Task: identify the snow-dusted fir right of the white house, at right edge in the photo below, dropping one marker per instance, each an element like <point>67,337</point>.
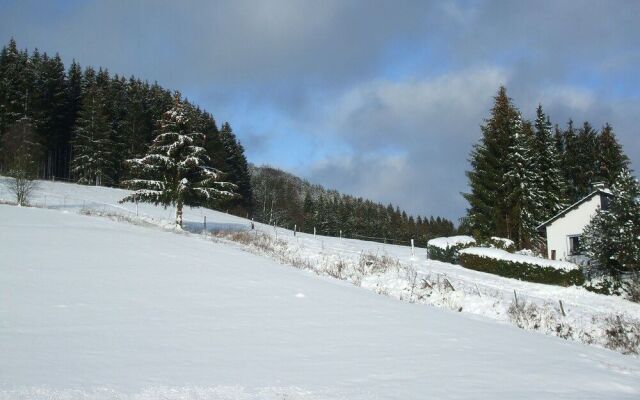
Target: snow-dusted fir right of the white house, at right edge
<point>613,236</point>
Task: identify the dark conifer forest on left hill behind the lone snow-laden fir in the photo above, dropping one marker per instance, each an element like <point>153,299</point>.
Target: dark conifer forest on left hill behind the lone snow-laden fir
<point>88,122</point>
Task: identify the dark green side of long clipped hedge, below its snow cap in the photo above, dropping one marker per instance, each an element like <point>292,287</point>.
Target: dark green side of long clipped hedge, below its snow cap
<point>522,271</point>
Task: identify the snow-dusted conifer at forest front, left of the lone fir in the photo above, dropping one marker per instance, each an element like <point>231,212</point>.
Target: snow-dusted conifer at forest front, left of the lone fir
<point>92,161</point>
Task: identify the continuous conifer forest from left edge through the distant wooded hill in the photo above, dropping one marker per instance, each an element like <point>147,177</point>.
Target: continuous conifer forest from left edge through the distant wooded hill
<point>88,123</point>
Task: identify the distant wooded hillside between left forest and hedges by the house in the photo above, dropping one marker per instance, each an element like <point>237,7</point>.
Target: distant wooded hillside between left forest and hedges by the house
<point>286,200</point>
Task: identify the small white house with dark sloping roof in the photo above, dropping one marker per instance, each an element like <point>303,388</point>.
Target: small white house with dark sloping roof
<point>563,231</point>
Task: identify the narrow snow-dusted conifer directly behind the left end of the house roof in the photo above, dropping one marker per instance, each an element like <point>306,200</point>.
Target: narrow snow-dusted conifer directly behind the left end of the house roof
<point>547,165</point>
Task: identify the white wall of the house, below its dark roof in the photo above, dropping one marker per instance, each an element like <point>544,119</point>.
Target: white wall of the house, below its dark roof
<point>571,224</point>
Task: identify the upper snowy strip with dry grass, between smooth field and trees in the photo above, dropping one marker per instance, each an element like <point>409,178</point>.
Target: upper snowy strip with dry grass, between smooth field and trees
<point>586,314</point>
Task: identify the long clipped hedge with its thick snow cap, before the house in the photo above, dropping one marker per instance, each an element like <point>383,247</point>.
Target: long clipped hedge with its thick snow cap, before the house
<point>521,267</point>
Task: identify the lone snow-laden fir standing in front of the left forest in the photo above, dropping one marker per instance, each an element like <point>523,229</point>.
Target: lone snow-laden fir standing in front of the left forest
<point>175,171</point>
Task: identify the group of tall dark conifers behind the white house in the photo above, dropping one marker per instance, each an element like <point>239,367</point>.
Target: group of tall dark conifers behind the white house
<point>524,172</point>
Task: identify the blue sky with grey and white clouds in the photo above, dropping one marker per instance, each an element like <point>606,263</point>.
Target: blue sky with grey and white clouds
<point>379,99</point>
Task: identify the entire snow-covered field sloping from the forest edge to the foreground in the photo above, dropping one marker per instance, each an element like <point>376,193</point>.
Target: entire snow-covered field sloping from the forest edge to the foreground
<point>93,308</point>
